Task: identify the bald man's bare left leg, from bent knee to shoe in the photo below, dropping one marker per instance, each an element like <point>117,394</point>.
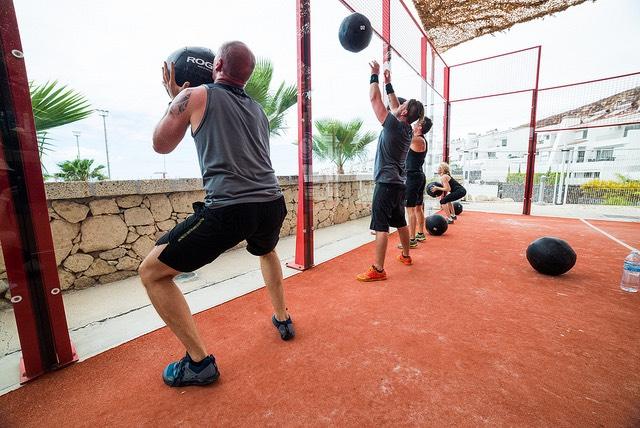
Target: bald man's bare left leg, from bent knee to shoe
<point>169,302</point>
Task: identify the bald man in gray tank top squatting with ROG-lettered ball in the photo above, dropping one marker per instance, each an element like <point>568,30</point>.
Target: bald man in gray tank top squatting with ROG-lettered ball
<point>243,202</point>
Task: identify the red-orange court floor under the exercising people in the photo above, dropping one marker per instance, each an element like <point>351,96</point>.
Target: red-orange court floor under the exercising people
<point>469,335</point>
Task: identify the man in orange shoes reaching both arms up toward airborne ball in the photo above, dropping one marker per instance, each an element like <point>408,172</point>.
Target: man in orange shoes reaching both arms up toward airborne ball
<point>387,208</point>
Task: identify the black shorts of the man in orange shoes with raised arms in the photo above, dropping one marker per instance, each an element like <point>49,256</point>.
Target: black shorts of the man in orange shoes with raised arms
<point>387,207</point>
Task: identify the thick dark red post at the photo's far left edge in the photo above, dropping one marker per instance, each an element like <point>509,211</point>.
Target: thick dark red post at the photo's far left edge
<point>25,234</point>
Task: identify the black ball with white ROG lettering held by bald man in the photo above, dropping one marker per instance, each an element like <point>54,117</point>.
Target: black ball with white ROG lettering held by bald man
<point>193,65</point>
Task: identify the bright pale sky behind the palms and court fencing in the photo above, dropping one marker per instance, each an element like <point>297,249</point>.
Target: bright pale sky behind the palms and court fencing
<point>112,52</point>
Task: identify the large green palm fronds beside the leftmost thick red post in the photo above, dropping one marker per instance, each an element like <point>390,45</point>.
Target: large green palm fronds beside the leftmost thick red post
<point>55,105</point>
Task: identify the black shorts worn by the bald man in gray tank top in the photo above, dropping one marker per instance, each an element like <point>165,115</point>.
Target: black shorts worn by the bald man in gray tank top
<point>209,232</point>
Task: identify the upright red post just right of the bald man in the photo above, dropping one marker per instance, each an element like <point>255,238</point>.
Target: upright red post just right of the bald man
<point>304,227</point>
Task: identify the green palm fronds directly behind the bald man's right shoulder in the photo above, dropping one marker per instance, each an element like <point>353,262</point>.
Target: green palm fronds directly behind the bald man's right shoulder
<point>275,104</point>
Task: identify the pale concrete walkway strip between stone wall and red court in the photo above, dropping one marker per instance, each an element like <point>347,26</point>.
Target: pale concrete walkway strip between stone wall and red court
<point>106,316</point>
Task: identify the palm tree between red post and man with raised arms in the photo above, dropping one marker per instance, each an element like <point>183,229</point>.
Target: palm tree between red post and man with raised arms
<point>340,142</point>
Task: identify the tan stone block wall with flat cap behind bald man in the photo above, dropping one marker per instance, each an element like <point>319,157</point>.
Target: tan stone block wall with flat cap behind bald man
<point>102,231</point>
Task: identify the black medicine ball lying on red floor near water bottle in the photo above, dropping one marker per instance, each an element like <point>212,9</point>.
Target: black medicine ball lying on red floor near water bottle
<point>551,256</point>
